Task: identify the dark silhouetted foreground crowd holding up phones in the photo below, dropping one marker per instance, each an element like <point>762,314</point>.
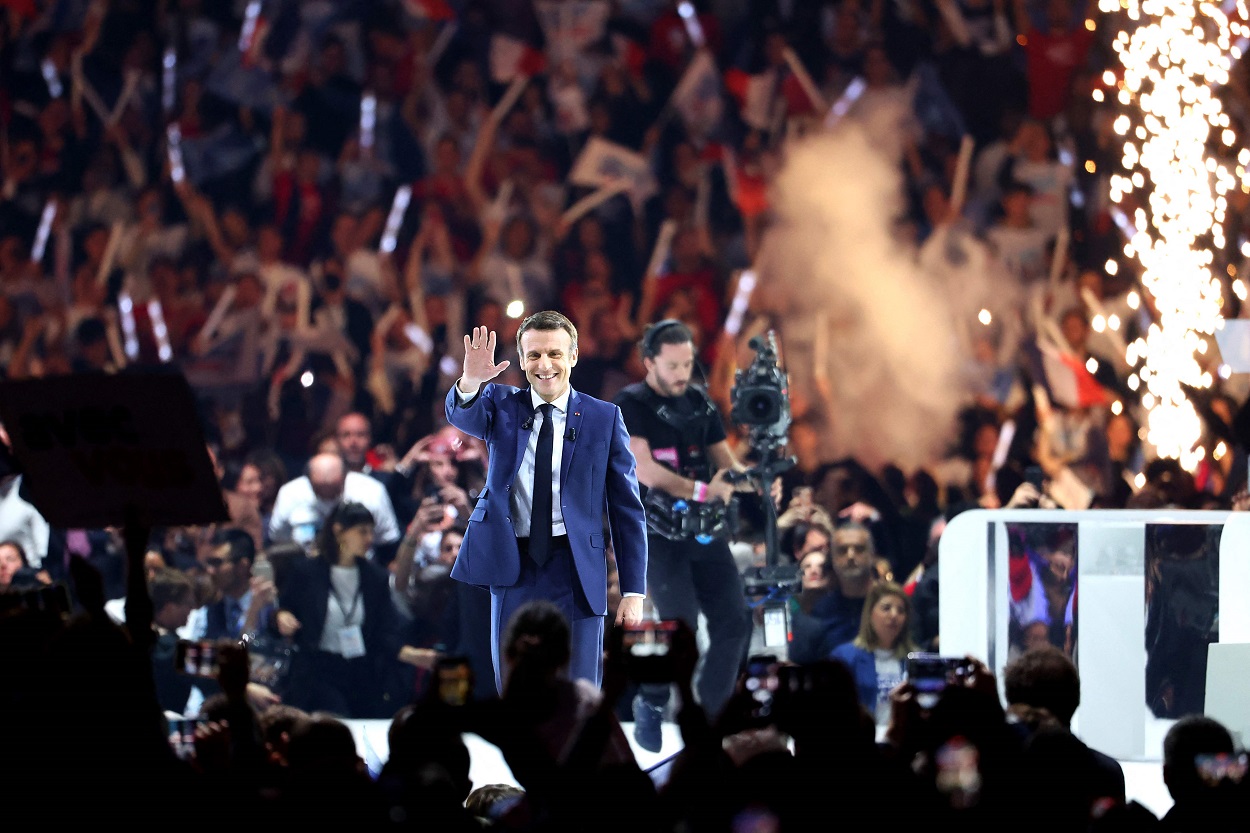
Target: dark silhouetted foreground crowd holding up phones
<point>83,715</point>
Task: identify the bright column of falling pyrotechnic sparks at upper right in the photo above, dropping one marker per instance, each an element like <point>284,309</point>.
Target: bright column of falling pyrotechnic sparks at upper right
<point>1174,56</point>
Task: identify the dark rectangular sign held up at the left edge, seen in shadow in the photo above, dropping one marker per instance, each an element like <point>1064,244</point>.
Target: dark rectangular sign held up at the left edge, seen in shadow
<point>94,446</point>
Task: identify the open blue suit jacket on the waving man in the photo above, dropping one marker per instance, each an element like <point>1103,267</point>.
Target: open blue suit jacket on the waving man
<point>597,478</point>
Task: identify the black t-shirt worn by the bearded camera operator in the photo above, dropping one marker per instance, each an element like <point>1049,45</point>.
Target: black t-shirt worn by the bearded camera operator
<point>679,430</point>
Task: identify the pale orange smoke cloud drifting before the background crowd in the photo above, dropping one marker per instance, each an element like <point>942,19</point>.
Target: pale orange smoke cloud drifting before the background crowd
<point>858,313</point>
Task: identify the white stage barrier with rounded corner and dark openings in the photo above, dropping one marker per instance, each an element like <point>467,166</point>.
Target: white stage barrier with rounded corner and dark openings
<point>1111,623</point>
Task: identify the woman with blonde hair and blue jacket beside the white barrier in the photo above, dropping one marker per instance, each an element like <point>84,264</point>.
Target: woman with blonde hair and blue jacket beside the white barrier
<point>877,657</point>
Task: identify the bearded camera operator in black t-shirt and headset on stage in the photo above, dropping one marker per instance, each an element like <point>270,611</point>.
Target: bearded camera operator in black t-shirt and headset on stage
<point>679,441</point>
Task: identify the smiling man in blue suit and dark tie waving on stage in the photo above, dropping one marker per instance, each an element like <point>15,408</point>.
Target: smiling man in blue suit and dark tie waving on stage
<point>559,456</point>
